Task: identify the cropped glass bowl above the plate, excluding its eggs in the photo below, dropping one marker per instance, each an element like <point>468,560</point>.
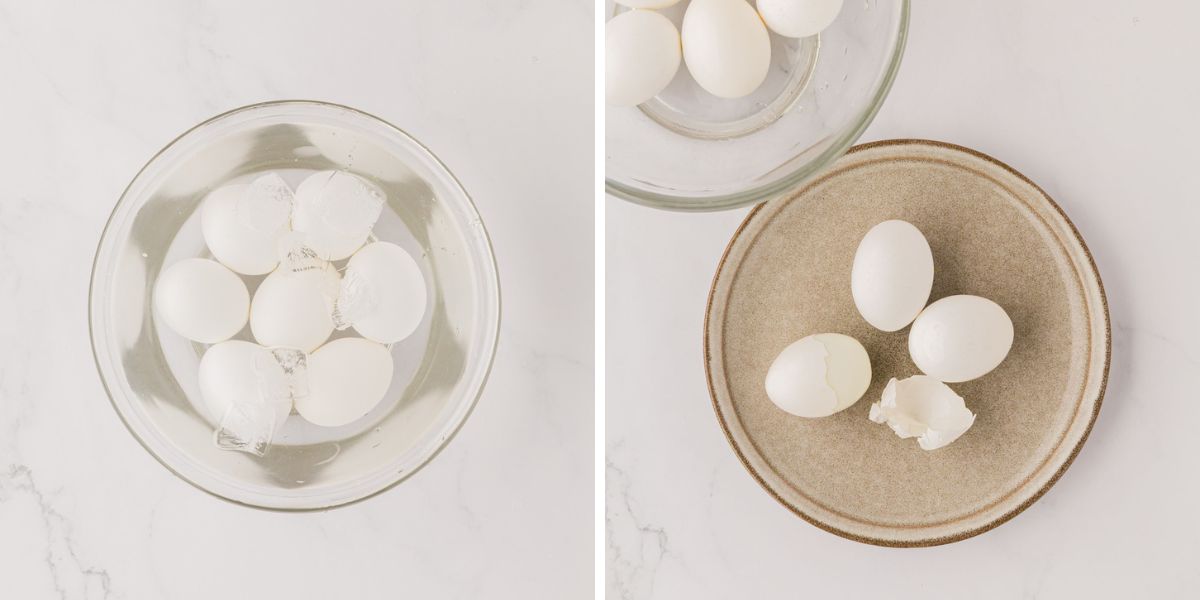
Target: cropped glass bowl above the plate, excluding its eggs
<point>687,149</point>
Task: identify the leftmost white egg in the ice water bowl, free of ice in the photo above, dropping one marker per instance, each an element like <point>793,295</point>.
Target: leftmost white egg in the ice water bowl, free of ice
<point>202,301</point>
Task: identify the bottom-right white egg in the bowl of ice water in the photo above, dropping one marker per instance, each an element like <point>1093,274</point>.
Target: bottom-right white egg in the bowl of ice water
<point>347,379</point>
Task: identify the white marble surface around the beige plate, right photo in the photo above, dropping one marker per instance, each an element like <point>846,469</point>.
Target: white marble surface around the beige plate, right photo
<point>1096,101</point>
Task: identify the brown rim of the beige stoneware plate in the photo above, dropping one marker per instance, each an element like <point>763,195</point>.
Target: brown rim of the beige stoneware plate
<point>1023,506</point>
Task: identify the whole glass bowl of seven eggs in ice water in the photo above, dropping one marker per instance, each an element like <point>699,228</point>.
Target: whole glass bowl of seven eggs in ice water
<point>295,305</point>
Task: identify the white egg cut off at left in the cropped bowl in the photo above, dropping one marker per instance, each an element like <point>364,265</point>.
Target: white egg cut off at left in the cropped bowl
<point>641,57</point>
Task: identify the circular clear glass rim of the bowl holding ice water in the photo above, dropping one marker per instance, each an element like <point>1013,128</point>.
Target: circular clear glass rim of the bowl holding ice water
<point>491,311</point>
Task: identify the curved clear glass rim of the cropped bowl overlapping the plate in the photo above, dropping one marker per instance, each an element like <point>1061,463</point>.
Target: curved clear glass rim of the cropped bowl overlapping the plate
<point>765,193</point>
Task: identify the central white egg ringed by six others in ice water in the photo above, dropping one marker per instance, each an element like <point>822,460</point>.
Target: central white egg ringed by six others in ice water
<point>295,309</point>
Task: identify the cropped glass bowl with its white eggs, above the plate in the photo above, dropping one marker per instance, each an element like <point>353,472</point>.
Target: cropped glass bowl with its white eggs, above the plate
<point>715,105</point>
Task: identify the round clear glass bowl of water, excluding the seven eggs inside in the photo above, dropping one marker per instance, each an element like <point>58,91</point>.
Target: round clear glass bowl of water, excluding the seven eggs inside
<point>151,373</point>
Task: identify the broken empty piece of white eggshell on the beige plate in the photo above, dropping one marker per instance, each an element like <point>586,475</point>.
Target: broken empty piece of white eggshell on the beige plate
<point>925,409</point>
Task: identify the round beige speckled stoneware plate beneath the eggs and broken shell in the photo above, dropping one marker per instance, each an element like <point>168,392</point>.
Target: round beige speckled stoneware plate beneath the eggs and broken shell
<point>994,233</point>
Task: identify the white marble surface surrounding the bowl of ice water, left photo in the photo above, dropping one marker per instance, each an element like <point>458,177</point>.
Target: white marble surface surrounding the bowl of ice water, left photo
<point>502,92</point>
